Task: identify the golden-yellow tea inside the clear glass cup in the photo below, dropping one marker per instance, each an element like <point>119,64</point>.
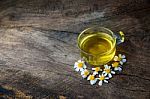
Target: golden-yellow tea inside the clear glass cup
<point>99,47</point>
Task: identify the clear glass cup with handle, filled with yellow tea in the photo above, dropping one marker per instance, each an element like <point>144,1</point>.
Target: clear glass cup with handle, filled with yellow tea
<point>98,45</point>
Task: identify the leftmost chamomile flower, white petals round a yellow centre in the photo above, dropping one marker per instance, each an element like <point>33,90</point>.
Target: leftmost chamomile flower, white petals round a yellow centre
<point>79,65</point>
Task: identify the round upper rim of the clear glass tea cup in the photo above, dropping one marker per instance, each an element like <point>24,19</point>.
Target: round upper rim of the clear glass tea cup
<point>99,53</point>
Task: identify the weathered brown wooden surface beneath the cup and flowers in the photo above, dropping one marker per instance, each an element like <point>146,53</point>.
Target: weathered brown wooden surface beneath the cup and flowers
<point>38,47</point>
